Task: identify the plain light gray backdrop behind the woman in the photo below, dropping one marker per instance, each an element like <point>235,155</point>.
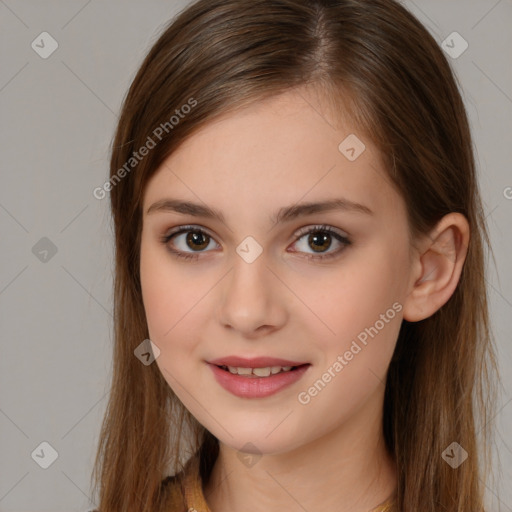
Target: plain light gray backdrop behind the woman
<point>57,119</point>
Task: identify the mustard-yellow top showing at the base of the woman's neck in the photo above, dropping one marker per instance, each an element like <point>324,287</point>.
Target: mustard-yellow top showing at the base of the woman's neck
<point>185,494</point>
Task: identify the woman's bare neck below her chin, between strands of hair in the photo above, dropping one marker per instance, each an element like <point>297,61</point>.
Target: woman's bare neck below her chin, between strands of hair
<point>348,469</point>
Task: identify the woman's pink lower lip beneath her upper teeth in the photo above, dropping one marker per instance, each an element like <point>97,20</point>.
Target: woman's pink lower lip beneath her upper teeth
<point>257,387</point>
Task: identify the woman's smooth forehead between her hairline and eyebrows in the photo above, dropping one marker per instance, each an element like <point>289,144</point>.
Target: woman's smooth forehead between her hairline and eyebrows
<point>274,152</point>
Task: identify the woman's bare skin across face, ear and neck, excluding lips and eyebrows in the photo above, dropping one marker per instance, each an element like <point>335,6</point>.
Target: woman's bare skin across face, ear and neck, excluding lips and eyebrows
<point>328,454</point>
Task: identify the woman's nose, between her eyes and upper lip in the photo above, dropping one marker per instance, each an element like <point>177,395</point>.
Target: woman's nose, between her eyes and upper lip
<point>252,300</point>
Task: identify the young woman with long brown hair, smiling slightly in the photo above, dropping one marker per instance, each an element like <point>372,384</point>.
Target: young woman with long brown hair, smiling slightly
<point>299,233</point>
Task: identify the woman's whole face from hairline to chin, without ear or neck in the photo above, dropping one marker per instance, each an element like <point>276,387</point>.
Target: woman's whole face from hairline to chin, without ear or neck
<point>318,289</point>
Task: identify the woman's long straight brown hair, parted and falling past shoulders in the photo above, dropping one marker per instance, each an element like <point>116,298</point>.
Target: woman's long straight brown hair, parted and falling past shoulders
<point>384,71</point>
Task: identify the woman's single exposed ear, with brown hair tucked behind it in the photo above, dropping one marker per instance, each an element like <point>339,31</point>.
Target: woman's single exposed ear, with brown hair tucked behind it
<point>437,266</point>
